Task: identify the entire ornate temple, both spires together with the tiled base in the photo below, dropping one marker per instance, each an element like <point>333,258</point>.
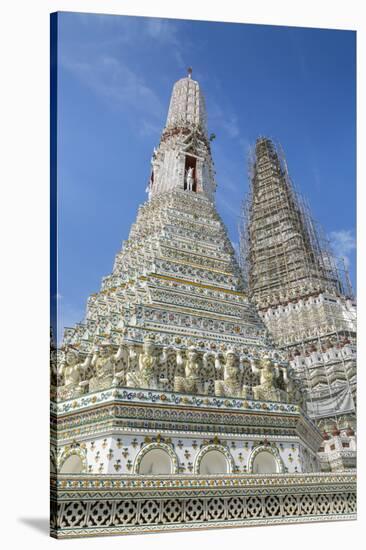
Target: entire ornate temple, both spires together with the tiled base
<point>187,399</point>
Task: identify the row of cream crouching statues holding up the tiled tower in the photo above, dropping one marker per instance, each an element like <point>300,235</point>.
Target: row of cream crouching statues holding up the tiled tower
<point>102,368</point>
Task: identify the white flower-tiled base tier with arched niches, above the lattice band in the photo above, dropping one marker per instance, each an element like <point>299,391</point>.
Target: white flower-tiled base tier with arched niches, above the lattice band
<point>117,430</point>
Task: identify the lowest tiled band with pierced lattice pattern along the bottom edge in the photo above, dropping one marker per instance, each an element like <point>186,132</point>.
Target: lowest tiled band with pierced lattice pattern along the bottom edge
<point>87,506</point>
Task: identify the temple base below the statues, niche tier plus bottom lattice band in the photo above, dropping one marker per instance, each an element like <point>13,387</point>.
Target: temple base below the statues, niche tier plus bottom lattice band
<point>121,427</point>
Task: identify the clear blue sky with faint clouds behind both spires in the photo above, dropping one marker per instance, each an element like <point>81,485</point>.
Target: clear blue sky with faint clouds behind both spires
<point>115,78</point>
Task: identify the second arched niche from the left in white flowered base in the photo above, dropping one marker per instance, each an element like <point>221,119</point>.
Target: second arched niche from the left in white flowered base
<point>156,459</point>
